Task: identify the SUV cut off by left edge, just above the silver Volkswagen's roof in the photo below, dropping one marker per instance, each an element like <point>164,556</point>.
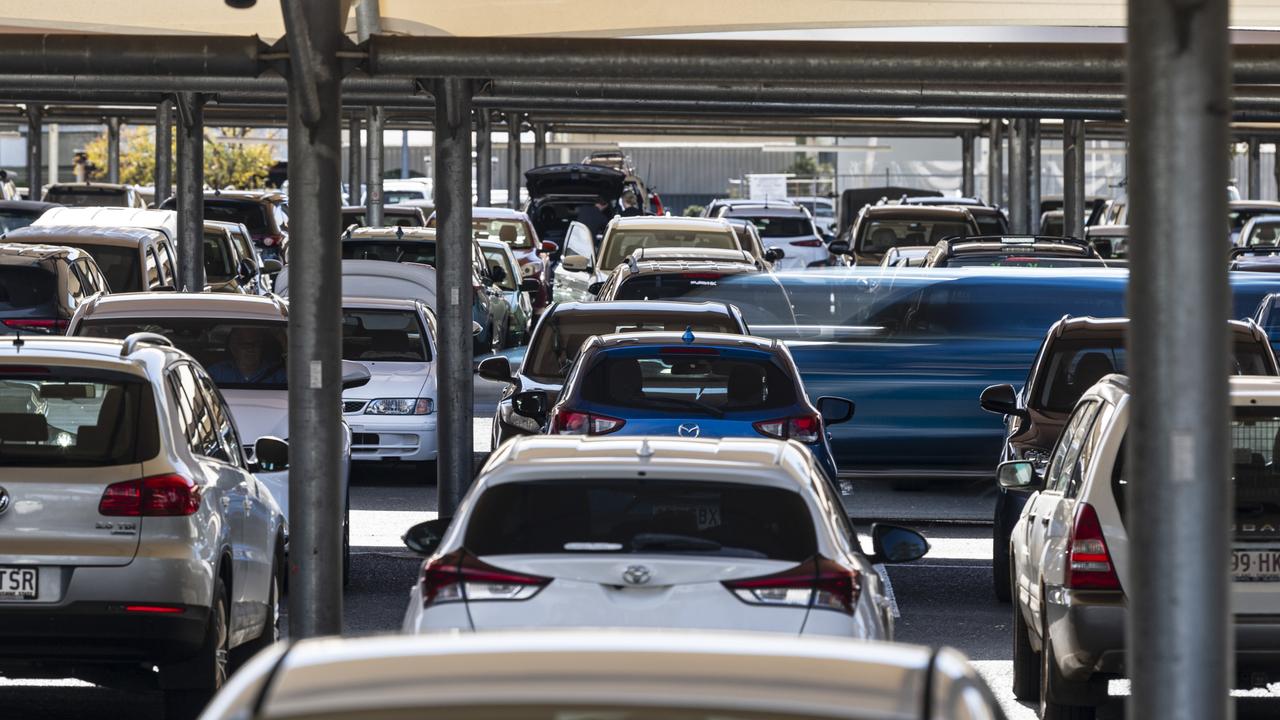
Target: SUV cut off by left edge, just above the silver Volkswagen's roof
<point>43,285</point>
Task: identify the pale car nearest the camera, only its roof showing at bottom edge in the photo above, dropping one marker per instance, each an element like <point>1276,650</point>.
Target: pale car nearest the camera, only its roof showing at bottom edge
<point>637,675</point>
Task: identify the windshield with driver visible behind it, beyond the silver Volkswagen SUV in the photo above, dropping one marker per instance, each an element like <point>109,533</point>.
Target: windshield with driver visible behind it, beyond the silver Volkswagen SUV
<point>237,354</point>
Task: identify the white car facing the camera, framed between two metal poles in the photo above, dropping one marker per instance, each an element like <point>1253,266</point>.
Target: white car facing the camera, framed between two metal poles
<point>392,420</point>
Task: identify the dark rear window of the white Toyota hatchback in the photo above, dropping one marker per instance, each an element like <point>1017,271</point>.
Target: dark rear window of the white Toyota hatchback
<point>641,516</point>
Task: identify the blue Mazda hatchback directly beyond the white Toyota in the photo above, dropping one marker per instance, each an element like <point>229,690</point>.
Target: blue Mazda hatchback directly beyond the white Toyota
<point>679,385</point>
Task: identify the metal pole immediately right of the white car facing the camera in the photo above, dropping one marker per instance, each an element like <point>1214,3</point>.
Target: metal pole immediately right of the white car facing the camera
<point>452,168</point>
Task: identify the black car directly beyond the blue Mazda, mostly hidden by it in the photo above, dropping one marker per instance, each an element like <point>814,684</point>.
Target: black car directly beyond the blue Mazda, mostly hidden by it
<point>564,329</point>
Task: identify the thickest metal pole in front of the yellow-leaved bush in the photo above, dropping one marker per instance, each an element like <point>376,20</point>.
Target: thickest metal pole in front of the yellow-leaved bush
<point>191,192</point>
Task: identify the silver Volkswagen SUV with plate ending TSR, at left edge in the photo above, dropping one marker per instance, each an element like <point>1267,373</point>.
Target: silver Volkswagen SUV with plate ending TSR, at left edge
<point>136,543</point>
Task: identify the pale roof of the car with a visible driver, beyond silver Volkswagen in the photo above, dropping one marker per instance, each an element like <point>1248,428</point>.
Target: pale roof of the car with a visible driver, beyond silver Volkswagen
<point>186,304</point>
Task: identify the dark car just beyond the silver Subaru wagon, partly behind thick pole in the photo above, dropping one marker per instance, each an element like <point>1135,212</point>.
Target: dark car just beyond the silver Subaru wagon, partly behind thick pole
<point>1077,353</point>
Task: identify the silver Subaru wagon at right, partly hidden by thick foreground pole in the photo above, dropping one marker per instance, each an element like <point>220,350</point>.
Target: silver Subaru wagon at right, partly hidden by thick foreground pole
<point>1071,552</point>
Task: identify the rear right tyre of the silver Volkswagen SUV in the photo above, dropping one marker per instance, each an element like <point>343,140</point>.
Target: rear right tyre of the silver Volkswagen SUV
<point>207,672</point>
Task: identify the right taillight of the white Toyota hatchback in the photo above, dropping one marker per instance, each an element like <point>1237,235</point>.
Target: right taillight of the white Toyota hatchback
<point>815,584</point>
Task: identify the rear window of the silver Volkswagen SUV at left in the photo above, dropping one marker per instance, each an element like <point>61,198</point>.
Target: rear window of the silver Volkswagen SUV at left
<point>52,417</point>
